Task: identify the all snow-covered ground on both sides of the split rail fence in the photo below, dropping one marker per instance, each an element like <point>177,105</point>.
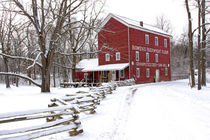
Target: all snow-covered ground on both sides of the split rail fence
<point>160,111</point>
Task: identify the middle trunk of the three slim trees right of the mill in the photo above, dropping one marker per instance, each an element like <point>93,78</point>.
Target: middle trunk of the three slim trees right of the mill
<point>199,44</point>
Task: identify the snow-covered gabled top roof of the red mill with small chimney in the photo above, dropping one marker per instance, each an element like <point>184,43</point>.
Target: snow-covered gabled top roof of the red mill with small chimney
<point>135,24</point>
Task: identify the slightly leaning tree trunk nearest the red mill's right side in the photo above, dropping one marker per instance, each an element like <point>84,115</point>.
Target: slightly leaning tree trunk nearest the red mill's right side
<point>190,36</point>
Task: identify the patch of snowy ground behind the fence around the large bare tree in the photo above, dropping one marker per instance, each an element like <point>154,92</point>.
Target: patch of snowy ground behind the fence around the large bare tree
<point>29,97</point>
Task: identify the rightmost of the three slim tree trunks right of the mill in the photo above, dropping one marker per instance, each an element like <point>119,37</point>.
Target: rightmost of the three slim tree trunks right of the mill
<point>203,51</point>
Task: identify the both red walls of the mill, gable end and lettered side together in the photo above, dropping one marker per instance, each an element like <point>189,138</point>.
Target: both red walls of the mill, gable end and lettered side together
<point>115,36</point>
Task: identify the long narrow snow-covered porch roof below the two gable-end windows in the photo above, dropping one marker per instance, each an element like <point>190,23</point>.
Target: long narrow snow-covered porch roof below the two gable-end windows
<point>107,67</point>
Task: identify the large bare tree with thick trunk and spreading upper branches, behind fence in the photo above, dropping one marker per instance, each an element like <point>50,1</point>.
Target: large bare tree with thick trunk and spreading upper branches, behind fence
<point>45,15</point>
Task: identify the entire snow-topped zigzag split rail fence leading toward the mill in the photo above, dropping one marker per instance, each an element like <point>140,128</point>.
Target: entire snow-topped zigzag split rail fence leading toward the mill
<point>61,115</point>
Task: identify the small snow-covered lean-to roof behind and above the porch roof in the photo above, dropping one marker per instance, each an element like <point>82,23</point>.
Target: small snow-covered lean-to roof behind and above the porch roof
<point>86,63</point>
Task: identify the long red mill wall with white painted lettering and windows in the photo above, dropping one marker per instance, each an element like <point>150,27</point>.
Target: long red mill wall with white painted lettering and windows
<point>137,38</point>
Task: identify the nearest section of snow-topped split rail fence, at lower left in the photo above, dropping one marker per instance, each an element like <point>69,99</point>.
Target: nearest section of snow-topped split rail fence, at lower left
<point>68,121</point>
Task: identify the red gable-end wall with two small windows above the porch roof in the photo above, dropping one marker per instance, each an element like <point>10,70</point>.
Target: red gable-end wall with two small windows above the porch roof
<point>115,37</point>
